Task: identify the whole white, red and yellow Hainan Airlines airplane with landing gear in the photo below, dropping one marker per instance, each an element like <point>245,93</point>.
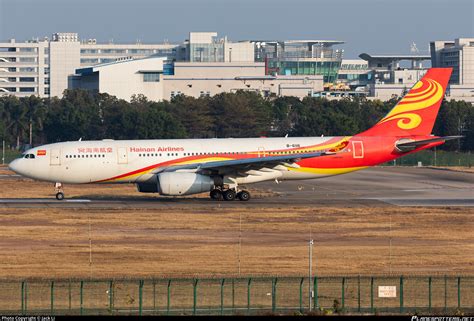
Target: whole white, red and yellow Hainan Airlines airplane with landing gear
<point>220,166</point>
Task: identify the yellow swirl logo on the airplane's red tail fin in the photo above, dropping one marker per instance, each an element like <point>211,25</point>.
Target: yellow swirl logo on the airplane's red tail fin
<point>425,93</point>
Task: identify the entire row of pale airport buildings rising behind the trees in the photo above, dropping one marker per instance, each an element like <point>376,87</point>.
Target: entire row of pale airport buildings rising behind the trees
<point>205,65</point>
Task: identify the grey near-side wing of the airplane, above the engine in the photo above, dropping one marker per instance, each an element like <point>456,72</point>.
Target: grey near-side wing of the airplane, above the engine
<point>243,164</point>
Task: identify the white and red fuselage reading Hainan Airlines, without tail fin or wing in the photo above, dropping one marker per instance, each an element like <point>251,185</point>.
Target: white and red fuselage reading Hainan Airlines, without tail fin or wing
<point>135,161</point>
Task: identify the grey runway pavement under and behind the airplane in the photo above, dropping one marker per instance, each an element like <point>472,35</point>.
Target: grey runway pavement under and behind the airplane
<point>379,186</point>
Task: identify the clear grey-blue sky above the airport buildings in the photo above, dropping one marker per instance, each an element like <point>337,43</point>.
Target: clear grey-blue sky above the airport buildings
<point>371,26</point>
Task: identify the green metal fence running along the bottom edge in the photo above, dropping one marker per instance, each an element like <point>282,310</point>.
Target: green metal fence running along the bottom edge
<point>240,296</point>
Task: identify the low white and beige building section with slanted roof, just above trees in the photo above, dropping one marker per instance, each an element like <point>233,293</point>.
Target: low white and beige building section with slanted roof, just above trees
<point>157,80</point>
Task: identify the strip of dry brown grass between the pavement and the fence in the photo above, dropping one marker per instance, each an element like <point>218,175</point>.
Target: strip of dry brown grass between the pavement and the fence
<point>184,241</point>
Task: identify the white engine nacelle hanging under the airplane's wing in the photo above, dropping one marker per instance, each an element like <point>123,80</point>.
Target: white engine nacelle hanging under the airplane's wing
<point>183,183</point>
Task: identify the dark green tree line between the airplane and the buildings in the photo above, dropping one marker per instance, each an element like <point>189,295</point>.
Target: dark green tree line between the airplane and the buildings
<point>82,114</point>
